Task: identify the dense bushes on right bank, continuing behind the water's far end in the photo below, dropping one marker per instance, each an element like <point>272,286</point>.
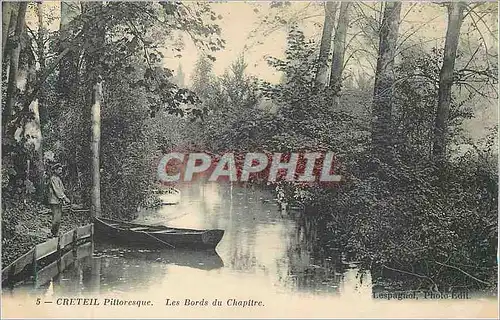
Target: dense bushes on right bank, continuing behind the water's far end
<point>408,217</point>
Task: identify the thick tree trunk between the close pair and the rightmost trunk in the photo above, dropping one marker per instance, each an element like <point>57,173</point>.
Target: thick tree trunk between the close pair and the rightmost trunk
<point>384,80</point>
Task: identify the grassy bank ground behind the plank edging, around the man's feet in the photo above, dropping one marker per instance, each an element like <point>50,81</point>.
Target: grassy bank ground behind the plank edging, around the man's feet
<point>26,224</point>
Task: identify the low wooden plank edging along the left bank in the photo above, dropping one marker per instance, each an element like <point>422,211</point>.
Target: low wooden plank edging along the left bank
<point>56,246</point>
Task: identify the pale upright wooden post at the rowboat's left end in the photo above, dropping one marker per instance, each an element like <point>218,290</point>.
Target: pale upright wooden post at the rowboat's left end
<point>95,147</point>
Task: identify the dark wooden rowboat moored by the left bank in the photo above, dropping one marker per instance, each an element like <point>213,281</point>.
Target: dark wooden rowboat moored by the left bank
<point>133,234</point>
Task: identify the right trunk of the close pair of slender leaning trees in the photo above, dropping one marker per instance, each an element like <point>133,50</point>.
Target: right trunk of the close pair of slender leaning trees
<point>339,50</point>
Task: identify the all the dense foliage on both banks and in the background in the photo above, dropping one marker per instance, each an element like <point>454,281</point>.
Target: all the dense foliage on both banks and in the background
<point>407,214</point>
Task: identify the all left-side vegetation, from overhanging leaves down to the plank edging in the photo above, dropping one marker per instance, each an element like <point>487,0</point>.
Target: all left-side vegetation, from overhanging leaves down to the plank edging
<point>120,45</point>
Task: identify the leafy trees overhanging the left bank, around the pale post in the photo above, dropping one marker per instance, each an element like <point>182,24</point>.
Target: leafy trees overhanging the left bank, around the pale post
<point>118,43</point>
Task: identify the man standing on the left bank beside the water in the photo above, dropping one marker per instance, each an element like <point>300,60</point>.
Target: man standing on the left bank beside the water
<point>56,197</point>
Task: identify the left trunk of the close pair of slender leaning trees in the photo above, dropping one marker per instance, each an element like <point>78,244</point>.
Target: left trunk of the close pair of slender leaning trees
<point>326,43</point>
